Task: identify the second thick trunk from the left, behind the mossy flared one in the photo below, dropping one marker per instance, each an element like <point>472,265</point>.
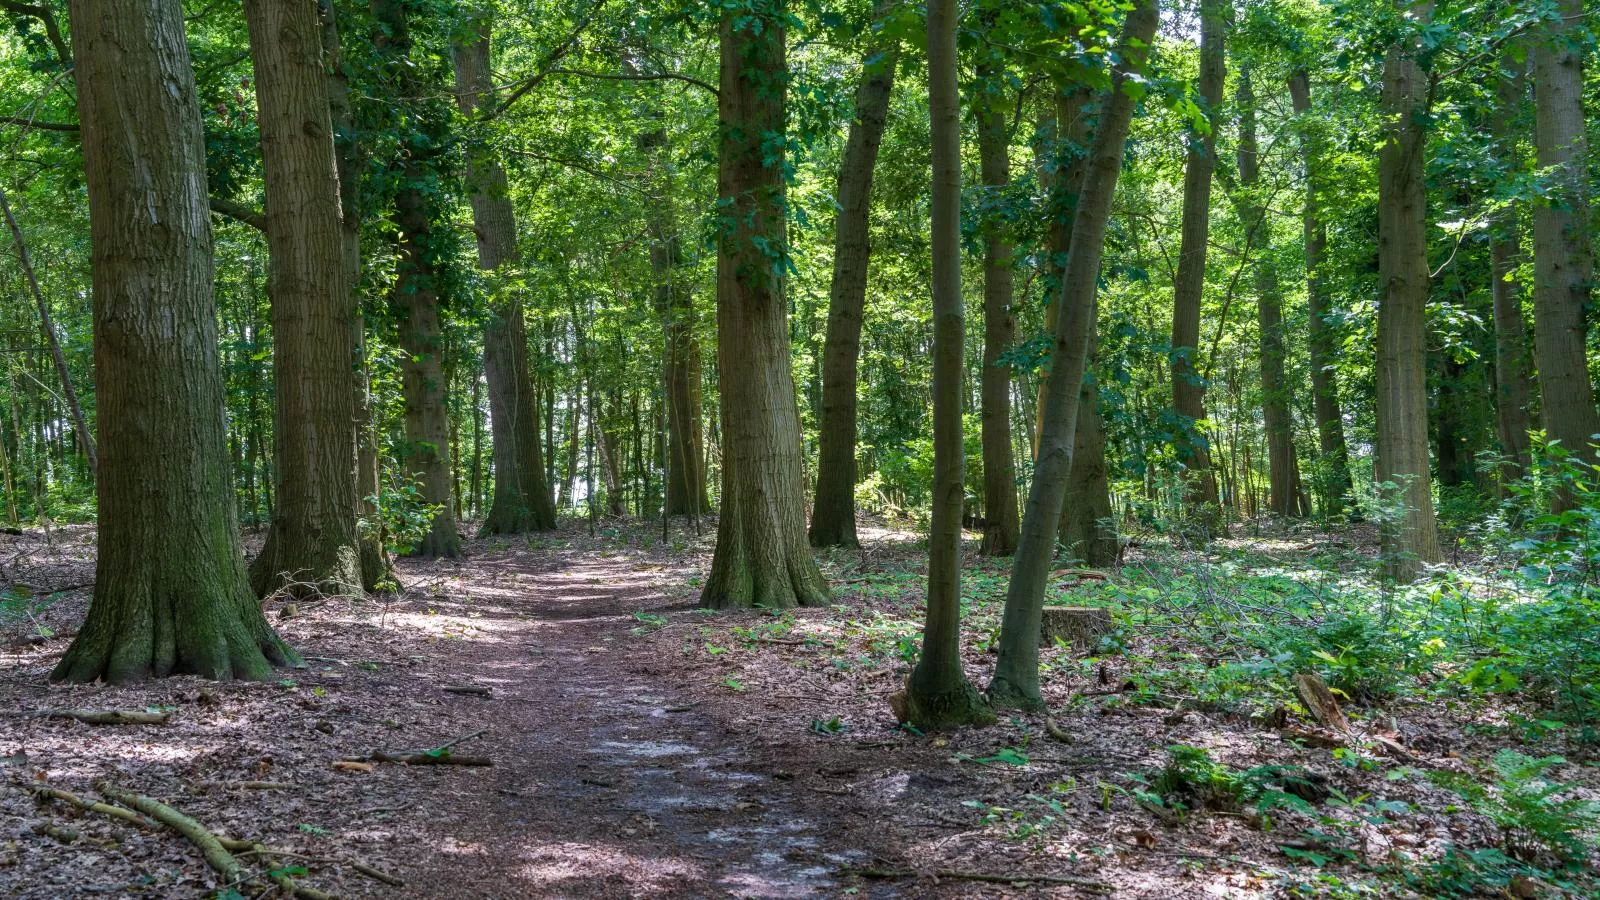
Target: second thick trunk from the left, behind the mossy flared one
<point>313,544</point>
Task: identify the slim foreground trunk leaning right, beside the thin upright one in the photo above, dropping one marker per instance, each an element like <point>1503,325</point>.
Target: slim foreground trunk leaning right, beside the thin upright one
<point>1017,672</point>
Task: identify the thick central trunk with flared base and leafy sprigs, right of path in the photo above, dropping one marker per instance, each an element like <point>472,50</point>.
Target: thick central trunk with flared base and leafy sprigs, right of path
<point>762,558</point>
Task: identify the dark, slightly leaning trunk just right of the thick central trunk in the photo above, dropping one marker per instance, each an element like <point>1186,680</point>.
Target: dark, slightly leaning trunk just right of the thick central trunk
<point>834,507</point>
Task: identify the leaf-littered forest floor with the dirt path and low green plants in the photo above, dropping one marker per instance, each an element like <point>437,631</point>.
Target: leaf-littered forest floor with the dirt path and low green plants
<point>642,747</point>
